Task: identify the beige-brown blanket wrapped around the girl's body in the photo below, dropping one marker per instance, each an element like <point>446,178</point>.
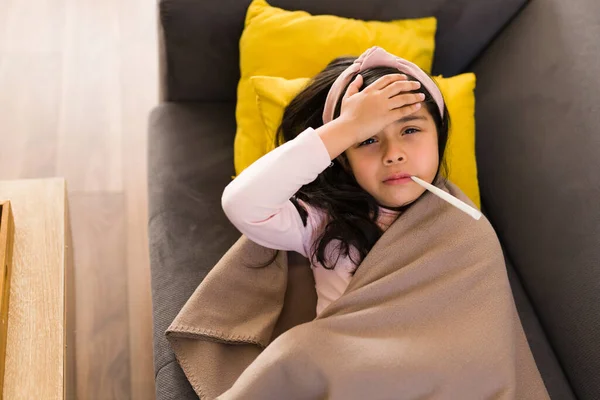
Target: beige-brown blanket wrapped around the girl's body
<point>428,315</point>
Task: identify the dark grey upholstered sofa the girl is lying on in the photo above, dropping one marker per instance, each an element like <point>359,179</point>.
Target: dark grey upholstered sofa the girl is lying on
<point>538,154</point>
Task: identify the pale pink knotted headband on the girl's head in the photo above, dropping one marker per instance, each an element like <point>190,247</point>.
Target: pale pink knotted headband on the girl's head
<point>378,57</point>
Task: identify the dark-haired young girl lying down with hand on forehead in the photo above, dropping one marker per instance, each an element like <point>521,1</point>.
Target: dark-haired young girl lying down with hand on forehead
<point>340,176</point>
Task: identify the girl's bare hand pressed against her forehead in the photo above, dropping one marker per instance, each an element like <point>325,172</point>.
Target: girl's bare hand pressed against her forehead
<point>378,105</point>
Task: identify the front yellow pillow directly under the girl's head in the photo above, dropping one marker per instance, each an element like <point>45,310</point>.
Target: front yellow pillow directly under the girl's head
<point>273,94</point>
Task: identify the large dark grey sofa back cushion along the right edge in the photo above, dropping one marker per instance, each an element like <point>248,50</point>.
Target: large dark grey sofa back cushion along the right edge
<point>538,153</point>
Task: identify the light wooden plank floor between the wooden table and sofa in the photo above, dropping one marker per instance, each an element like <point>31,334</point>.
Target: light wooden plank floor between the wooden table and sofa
<point>77,81</point>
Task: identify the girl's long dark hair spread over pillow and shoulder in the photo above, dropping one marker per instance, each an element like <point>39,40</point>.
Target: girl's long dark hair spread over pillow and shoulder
<point>353,212</point>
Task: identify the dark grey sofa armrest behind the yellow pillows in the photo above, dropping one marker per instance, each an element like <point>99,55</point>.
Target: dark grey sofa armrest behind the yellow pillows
<point>199,39</point>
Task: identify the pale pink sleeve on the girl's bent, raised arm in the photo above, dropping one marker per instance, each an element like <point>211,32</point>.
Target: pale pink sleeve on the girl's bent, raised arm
<point>257,201</point>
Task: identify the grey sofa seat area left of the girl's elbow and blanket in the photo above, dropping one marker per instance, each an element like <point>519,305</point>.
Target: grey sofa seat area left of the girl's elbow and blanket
<point>190,163</point>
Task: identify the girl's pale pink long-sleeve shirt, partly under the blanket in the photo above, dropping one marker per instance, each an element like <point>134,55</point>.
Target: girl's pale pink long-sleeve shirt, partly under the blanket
<point>257,202</point>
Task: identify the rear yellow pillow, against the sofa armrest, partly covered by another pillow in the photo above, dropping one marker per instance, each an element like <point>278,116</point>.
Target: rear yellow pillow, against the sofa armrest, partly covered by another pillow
<point>295,44</point>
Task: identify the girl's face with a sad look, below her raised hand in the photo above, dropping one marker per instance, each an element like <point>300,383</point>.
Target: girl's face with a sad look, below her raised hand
<point>408,146</point>
